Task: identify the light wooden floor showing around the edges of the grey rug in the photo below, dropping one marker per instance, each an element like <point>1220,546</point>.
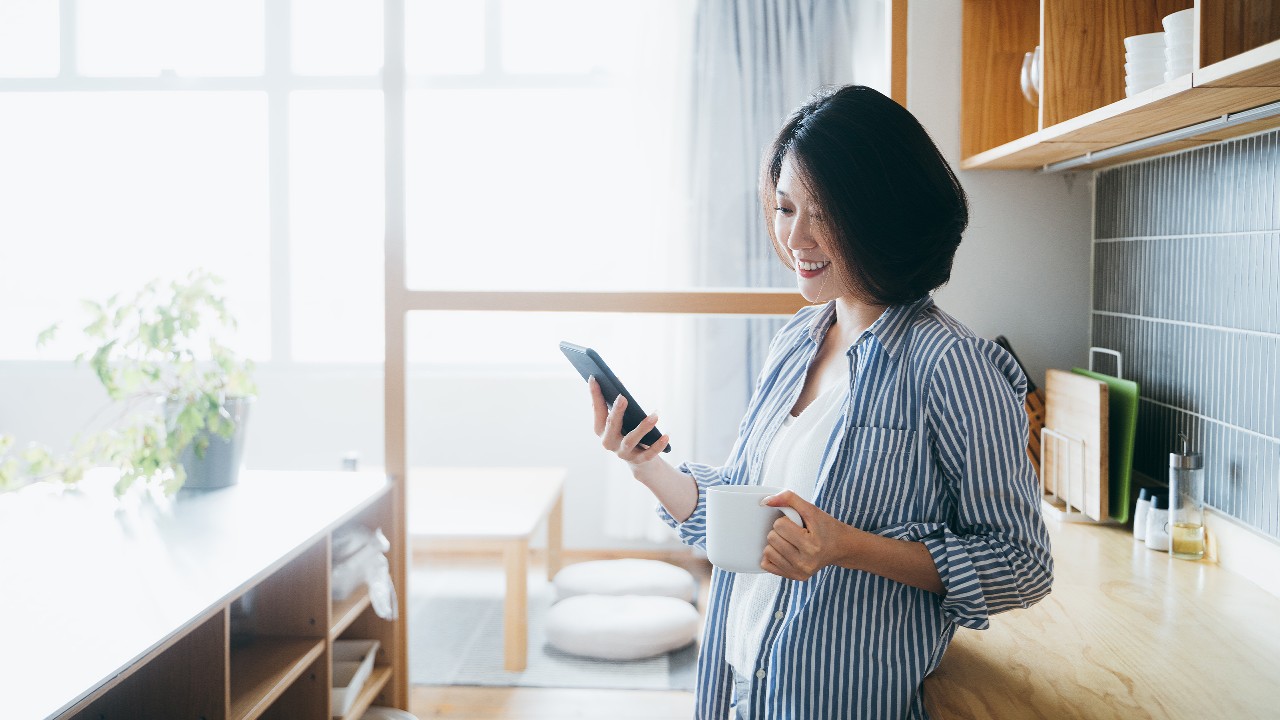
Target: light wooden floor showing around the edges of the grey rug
<point>459,703</point>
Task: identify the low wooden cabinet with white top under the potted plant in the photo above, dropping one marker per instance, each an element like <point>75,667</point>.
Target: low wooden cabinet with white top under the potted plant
<point>216,605</point>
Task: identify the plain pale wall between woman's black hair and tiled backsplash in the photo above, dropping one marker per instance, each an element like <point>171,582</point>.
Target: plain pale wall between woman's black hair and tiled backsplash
<point>1023,270</point>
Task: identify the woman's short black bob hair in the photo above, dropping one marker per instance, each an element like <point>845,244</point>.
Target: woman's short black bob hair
<point>895,207</point>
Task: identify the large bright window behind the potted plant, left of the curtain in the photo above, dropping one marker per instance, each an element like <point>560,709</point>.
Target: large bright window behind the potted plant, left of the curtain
<point>248,136</point>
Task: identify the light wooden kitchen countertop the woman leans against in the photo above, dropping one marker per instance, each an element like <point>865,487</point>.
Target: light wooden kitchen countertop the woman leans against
<point>1127,634</point>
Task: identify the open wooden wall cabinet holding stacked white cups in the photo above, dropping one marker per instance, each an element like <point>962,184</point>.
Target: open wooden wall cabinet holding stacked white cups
<point>1084,116</point>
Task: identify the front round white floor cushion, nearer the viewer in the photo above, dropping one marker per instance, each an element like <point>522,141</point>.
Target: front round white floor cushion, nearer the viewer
<point>621,627</point>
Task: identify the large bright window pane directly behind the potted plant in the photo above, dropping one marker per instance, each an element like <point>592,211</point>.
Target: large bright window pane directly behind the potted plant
<point>104,192</point>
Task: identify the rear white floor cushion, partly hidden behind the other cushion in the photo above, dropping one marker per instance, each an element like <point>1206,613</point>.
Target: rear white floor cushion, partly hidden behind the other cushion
<point>627,577</point>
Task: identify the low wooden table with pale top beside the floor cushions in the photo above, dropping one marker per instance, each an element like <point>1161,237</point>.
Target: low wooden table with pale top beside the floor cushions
<point>499,509</point>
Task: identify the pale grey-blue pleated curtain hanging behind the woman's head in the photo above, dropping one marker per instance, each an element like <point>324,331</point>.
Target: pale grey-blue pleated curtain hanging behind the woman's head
<point>755,65</point>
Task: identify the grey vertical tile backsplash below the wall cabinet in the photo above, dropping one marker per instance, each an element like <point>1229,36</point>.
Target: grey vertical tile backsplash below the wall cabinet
<point>1187,288</point>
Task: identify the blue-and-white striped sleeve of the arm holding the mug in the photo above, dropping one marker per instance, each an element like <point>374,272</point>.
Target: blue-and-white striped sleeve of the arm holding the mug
<point>993,553</point>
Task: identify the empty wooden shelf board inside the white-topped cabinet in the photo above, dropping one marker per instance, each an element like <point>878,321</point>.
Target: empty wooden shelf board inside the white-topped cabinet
<point>266,669</point>
